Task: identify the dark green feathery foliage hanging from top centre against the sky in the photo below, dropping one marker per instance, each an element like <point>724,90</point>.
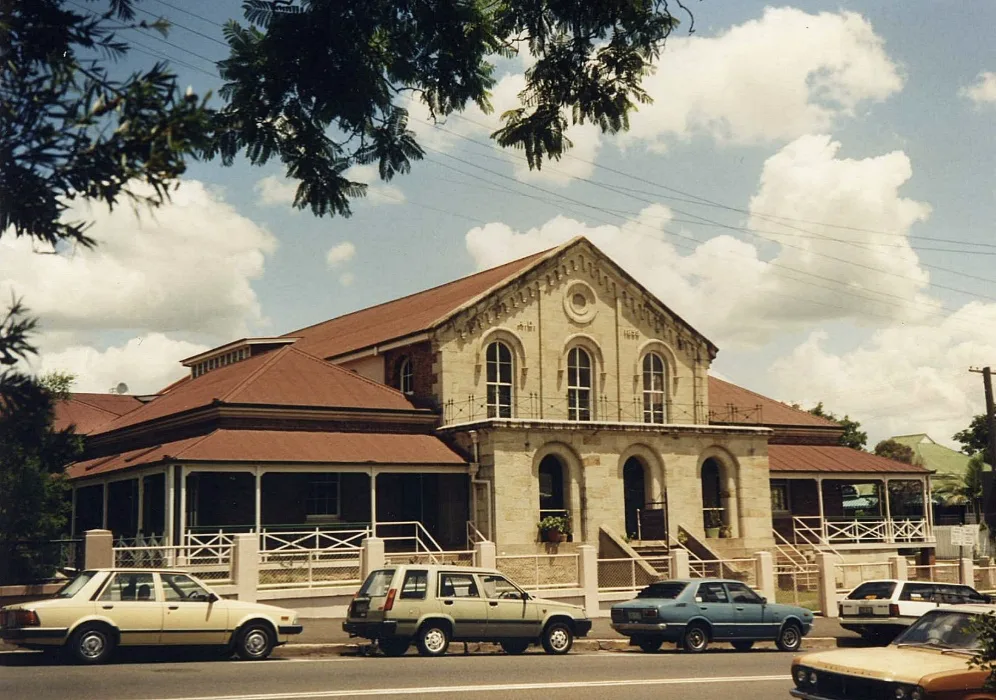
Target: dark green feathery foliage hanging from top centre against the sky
<point>322,86</point>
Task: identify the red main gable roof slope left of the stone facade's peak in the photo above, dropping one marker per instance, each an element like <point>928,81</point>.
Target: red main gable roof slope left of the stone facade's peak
<point>405,316</point>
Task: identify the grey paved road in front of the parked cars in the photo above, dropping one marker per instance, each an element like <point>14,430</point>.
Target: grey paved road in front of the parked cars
<point>717,673</point>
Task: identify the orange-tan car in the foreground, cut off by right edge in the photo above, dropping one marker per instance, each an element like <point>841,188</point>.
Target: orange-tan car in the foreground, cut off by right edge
<point>929,661</point>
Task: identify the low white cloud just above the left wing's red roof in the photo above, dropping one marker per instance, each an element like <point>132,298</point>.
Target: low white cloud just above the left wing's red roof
<point>146,364</point>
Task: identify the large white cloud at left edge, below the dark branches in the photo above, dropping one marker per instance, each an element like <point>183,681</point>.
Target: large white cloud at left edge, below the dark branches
<point>187,266</point>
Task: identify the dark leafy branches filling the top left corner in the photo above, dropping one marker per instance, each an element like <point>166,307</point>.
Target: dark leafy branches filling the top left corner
<point>69,130</point>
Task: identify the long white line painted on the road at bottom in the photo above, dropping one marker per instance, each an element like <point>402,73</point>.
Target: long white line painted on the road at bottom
<point>367,692</point>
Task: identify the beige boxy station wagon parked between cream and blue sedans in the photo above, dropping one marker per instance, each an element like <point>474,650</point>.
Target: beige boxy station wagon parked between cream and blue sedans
<point>434,605</point>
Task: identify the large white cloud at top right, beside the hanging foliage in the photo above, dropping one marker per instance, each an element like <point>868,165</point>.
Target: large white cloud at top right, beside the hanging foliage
<point>772,79</point>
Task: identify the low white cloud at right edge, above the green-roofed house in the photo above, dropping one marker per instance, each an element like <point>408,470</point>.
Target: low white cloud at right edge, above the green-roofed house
<point>904,379</point>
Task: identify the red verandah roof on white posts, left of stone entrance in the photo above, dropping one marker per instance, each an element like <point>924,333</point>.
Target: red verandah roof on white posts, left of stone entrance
<point>283,447</point>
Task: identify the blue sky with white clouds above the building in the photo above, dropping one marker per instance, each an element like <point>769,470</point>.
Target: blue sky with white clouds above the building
<point>812,189</point>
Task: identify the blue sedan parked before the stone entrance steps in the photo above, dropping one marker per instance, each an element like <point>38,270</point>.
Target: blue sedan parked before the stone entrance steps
<point>694,612</point>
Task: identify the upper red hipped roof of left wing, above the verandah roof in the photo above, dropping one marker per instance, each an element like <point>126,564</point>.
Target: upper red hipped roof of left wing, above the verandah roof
<point>285,377</point>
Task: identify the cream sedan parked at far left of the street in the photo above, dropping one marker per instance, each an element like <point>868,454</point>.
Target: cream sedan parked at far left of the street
<point>101,609</point>
